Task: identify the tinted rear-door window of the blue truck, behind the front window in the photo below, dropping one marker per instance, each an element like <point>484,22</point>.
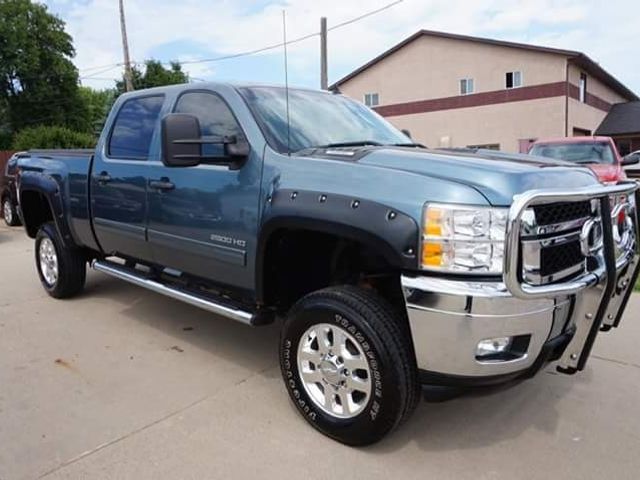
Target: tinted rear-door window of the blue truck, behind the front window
<point>134,126</point>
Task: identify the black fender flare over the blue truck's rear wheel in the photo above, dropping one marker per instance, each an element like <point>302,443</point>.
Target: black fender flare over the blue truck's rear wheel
<point>50,189</point>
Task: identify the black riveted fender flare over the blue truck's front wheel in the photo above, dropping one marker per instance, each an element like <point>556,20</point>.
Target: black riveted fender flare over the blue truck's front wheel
<point>395,235</point>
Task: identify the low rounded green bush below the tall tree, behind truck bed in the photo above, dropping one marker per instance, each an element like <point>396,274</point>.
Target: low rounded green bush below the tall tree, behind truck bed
<point>52,137</point>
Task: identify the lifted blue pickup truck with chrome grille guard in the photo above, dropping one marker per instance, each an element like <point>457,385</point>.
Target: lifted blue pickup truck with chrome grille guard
<point>393,266</point>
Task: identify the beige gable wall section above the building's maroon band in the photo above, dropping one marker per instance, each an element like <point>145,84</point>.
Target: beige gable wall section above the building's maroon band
<point>431,67</point>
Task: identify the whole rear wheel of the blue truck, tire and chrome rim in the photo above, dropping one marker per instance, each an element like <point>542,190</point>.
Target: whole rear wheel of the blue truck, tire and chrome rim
<point>62,270</point>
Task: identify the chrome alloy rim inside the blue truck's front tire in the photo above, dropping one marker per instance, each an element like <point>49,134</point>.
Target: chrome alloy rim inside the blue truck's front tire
<point>334,370</point>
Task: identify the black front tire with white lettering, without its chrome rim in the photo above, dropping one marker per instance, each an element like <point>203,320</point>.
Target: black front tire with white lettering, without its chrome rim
<point>379,330</point>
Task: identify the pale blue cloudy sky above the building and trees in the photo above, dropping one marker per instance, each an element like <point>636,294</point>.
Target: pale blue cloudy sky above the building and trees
<point>199,29</point>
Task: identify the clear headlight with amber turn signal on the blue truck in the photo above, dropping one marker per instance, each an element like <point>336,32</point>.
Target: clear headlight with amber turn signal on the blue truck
<point>463,239</point>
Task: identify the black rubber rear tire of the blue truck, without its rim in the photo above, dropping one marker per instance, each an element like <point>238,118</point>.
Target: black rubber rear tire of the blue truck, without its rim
<point>71,265</point>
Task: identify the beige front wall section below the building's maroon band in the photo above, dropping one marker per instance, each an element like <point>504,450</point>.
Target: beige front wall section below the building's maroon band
<point>503,124</point>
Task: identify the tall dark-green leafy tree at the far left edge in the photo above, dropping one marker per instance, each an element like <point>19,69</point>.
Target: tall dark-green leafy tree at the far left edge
<point>38,81</point>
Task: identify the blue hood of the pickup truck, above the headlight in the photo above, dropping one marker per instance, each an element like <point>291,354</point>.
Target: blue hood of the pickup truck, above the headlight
<point>497,176</point>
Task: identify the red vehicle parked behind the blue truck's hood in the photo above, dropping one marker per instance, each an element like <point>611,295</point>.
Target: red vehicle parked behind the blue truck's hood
<point>598,153</point>
